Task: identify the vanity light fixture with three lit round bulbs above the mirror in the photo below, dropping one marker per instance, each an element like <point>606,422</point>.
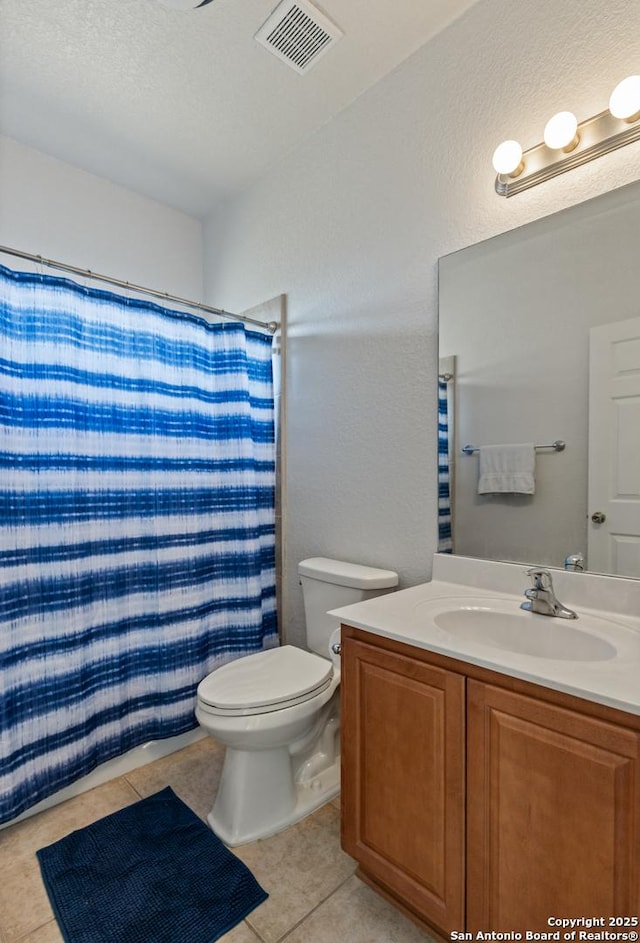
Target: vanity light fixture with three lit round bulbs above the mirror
<point>568,144</point>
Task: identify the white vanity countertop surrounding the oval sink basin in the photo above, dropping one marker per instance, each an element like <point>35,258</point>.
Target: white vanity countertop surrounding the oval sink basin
<point>404,616</point>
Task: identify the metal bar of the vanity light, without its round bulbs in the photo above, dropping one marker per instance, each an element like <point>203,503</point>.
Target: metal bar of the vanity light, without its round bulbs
<point>597,136</point>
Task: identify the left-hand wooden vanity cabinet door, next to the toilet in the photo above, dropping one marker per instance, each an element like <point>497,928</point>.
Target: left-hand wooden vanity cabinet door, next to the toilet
<point>402,801</point>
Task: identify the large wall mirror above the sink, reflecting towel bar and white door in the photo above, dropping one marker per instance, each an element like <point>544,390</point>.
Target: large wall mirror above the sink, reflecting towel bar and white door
<point>540,334</point>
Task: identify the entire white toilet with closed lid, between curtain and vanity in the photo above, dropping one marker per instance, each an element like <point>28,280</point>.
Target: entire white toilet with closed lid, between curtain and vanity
<point>277,712</point>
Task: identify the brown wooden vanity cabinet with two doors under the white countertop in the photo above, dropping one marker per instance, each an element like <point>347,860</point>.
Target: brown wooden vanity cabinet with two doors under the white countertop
<point>476,801</point>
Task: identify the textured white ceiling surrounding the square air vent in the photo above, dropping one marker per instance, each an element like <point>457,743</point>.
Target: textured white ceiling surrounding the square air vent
<point>186,107</point>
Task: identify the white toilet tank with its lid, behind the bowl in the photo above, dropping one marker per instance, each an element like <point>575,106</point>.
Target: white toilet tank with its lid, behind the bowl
<point>327,584</point>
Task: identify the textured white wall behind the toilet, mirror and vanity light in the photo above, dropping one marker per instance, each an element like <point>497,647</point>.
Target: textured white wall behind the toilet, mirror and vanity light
<point>351,225</point>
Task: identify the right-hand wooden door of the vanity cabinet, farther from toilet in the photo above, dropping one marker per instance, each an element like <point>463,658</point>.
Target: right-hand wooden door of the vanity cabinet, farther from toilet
<point>553,815</point>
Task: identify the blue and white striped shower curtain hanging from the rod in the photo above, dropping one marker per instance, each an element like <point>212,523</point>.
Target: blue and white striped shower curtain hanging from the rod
<point>136,522</point>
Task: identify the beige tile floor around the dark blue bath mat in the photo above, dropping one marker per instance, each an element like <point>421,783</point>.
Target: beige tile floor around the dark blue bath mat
<point>314,896</point>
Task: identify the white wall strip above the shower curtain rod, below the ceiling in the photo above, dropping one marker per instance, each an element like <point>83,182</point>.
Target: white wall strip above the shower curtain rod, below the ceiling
<point>52,209</point>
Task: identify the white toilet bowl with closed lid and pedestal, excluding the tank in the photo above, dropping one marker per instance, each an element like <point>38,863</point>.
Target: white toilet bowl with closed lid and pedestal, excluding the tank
<point>275,771</point>
